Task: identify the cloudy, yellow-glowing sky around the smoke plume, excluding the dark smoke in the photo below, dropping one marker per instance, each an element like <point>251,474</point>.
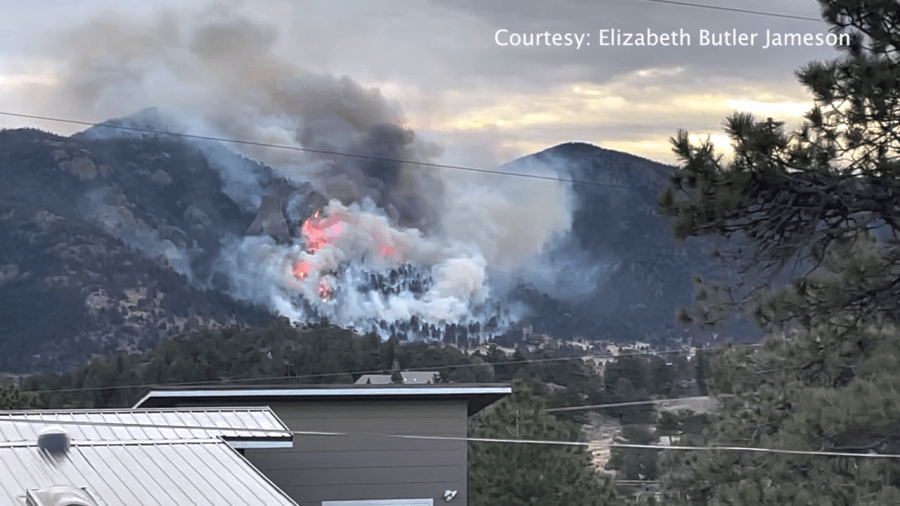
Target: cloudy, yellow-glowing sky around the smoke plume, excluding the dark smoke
<point>440,63</point>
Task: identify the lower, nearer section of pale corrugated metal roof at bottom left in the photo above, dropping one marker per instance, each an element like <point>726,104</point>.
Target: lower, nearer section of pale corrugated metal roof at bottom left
<point>193,472</point>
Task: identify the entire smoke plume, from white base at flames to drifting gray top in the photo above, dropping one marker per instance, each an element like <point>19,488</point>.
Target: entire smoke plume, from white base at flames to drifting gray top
<point>395,243</point>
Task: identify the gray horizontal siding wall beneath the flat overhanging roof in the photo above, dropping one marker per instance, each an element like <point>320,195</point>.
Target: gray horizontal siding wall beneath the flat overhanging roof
<point>368,465</point>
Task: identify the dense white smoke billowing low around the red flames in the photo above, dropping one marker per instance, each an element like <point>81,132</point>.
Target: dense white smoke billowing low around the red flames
<point>359,240</point>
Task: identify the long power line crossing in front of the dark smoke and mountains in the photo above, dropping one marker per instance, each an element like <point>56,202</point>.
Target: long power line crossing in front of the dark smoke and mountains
<point>314,151</point>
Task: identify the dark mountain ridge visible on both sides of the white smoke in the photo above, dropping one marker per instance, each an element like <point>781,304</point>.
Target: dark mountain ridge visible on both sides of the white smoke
<point>110,244</point>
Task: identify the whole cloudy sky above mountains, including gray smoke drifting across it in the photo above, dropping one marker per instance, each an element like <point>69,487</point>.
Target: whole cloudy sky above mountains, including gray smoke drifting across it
<point>439,68</point>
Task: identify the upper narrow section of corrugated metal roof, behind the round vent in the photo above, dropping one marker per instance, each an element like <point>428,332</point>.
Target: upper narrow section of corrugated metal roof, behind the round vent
<point>157,425</point>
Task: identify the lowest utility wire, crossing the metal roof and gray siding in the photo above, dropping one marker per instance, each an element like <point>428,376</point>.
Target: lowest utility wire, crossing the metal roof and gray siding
<point>4,418</point>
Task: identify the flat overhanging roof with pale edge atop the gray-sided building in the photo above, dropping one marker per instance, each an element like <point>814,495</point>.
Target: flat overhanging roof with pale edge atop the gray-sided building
<point>477,396</point>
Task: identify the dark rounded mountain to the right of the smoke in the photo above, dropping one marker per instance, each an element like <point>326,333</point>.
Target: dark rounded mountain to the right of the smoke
<point>615,224</point>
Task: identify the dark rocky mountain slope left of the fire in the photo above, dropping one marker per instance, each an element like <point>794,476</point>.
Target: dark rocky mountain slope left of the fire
<point>97,240</point>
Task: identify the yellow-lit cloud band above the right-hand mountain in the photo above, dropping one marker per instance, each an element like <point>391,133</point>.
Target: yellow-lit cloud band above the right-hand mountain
<point>636,112</point>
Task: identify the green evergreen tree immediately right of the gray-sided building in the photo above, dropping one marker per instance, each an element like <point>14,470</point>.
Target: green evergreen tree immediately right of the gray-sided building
<point>531,474</point>
